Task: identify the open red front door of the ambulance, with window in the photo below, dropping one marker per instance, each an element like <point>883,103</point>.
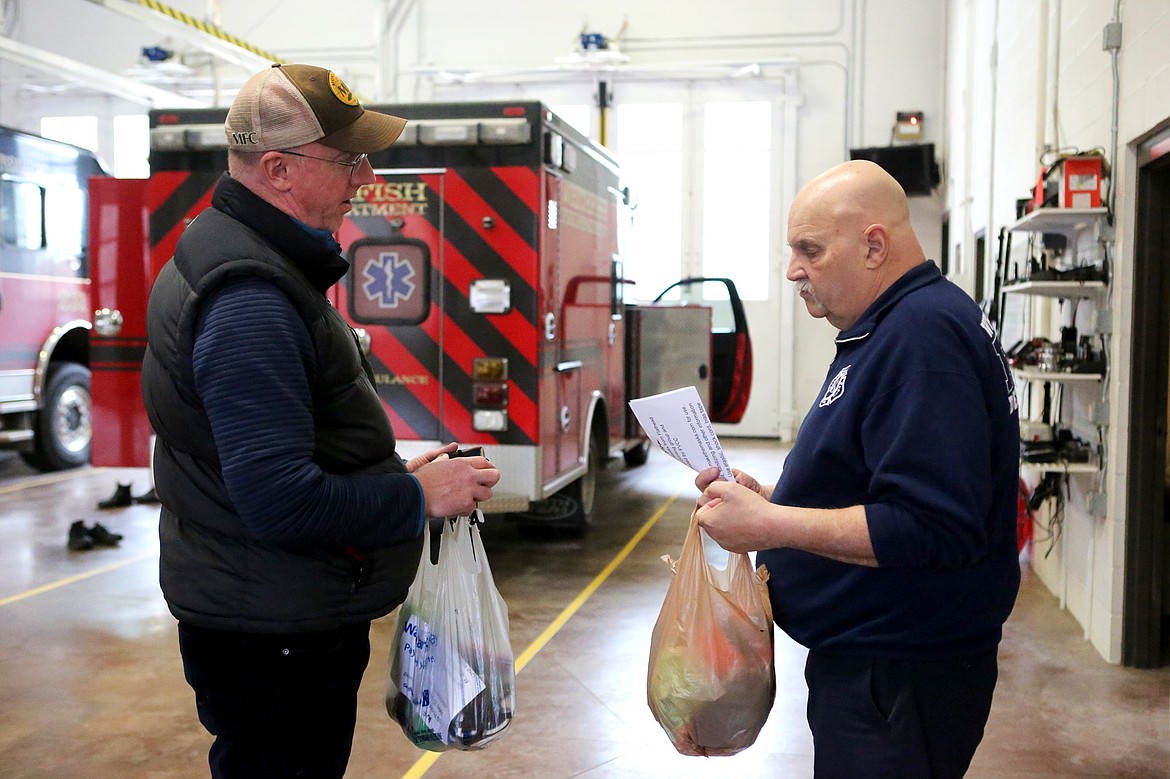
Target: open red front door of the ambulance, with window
<point>732,364</point>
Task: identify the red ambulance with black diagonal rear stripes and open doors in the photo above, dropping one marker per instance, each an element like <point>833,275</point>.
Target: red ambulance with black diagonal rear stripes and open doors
<point>487,286</point>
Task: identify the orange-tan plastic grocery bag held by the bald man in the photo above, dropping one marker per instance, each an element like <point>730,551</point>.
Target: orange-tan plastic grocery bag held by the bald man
<point>712,678</point>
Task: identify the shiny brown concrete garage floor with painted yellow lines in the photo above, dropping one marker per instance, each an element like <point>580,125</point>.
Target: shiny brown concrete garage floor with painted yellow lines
<point>92,684</point>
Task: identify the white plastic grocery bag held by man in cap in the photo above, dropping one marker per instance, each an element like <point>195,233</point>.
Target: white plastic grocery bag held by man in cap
<point>452,672</point>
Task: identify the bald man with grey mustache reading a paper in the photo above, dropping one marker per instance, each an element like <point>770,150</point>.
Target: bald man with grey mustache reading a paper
<point>890,536</point>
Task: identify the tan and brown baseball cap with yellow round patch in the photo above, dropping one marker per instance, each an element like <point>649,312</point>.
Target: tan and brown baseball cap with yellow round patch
<point>292,105</point>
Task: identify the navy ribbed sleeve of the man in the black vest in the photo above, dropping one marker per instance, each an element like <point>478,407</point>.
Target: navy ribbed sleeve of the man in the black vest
<point>253,366</point>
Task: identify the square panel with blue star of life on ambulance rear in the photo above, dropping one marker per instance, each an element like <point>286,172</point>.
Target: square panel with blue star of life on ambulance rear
<point>390,282</point>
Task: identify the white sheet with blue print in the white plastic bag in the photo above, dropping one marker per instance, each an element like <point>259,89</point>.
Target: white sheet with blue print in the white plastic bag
<point>429,668</point>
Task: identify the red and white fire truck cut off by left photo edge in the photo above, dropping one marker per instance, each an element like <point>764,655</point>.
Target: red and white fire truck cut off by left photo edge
<point>45,371</point>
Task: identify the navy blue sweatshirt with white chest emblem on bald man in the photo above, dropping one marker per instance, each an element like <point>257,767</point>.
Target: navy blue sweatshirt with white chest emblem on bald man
<point>917,422</point>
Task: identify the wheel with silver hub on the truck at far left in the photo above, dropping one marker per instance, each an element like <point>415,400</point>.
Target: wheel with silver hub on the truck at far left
<point>64,429</point>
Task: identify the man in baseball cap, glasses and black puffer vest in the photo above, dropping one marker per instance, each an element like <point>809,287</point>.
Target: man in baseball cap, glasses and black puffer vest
<point>288,520</point>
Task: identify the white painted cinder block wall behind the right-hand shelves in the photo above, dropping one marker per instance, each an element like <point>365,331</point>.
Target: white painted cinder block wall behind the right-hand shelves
<point>1022,77</point>
